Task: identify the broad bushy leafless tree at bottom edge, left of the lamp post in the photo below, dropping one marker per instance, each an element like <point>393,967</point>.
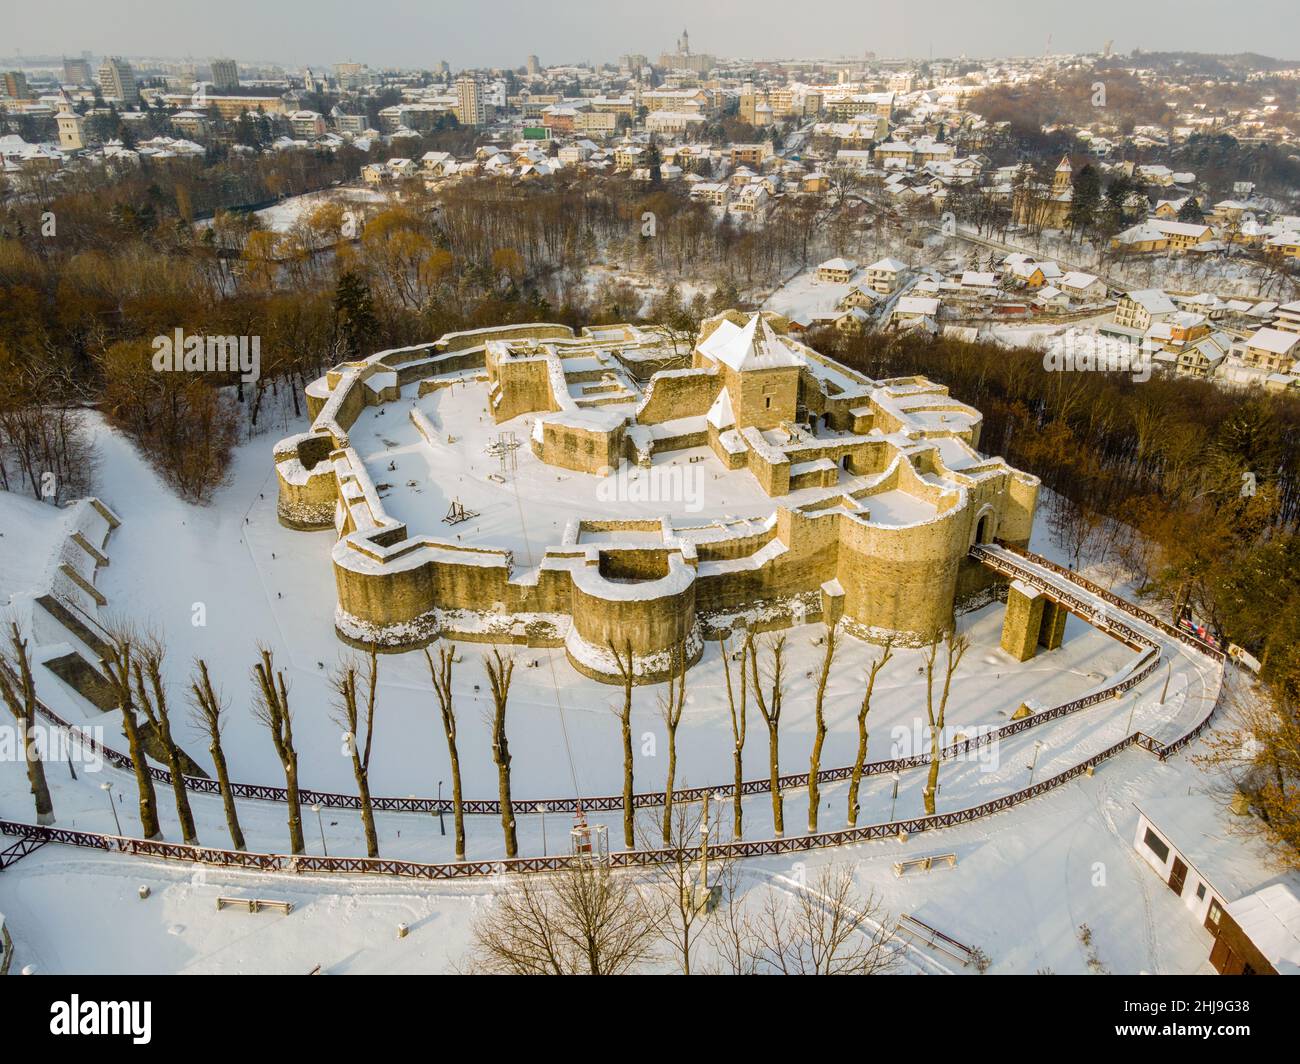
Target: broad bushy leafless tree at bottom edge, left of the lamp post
<point>583,920</point>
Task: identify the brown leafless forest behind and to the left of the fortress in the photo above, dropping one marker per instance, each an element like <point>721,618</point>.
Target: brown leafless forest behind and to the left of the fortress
<point>125,263</point>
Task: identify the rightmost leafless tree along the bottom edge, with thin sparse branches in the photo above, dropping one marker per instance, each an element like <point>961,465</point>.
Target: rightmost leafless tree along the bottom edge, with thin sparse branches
<point>825,929</point>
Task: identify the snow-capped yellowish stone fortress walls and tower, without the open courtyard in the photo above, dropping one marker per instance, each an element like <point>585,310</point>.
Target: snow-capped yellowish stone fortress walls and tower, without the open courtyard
<point>885,552</point>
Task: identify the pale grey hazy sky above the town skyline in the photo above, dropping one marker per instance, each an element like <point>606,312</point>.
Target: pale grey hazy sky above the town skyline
<point>501,33</point>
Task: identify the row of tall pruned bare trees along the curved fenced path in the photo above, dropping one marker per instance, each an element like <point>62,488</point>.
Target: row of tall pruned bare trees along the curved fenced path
<point>135,669</point>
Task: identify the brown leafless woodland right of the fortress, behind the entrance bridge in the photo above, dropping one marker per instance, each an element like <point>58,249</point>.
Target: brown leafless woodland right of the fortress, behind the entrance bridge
<point>1189,488</point>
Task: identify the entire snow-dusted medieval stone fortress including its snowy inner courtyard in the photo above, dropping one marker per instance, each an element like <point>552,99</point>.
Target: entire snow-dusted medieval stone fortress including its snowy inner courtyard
<point>822,495</point>
